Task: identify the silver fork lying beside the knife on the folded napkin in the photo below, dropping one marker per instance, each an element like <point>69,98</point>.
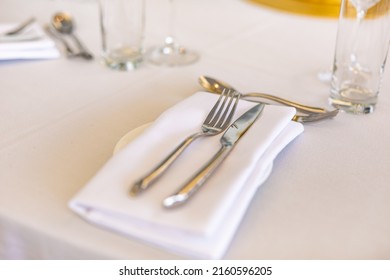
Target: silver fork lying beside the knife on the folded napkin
<point>216,121</point>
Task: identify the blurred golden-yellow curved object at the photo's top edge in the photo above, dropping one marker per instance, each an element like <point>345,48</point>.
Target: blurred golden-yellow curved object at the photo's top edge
<point>322,8</point>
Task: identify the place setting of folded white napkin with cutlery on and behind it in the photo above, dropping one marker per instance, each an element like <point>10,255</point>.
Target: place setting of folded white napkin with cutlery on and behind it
<point>185,181</point>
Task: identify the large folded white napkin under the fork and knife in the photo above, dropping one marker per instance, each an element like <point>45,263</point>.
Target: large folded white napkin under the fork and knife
<point>205,225</point>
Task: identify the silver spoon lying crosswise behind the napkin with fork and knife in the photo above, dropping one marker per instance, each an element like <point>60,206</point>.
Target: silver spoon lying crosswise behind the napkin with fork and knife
<point>216,86</point>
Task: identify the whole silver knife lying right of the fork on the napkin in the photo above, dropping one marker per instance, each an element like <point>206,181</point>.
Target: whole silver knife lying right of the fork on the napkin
<point>228,141</point>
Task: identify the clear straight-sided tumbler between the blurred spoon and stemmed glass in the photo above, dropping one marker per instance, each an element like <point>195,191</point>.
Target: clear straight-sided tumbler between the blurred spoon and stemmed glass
<point>122,25</point>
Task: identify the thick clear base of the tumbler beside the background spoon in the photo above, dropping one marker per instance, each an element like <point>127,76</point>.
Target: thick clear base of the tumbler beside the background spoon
<point>123,59</point>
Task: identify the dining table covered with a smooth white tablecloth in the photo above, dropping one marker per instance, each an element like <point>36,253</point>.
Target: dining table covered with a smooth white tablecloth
<point>327,198</point>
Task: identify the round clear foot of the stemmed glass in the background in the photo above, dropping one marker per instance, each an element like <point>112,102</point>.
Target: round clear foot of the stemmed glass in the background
<point>170,55</point>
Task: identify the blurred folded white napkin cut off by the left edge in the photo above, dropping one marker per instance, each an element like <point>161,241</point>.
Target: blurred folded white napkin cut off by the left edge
<point>31,43</point>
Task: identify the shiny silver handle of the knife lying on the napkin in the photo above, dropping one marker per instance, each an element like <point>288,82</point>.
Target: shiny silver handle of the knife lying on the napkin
<point>194,184</point>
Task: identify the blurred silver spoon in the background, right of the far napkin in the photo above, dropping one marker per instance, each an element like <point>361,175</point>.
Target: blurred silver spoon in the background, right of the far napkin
<point>63,23</point>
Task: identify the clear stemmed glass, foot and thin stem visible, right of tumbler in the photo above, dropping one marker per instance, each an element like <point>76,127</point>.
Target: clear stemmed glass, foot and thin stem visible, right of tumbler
<point>171,53</point>
